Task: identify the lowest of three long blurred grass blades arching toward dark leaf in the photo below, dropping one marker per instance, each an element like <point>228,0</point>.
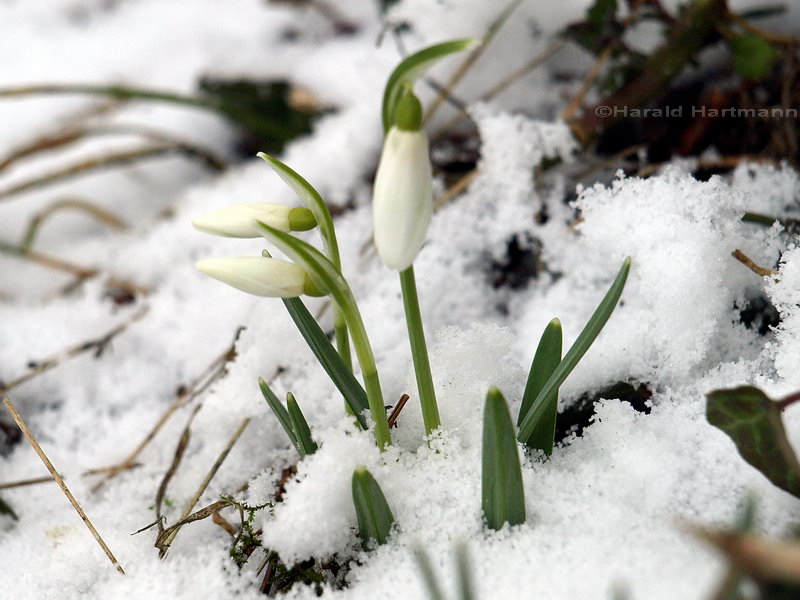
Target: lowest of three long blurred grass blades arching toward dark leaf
<point>96,164</point>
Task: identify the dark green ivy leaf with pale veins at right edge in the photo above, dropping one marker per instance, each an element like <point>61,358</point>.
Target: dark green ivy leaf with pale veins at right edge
<point>753,421</point>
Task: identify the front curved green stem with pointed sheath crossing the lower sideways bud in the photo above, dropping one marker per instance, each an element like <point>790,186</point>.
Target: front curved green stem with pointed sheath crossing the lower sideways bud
<point>327,277</point>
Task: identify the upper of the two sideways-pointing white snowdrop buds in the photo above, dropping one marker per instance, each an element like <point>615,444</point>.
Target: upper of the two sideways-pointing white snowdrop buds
<point>239,220</point>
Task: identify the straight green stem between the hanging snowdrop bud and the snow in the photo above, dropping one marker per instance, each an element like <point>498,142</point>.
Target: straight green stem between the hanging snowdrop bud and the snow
<point>419,351</point>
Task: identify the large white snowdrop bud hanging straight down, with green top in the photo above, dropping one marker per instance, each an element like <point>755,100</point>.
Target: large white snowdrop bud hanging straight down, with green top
<point>403,196</point>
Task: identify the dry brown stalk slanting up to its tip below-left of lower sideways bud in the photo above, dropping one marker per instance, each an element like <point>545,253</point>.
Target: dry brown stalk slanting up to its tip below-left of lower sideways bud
<point>185,395</point>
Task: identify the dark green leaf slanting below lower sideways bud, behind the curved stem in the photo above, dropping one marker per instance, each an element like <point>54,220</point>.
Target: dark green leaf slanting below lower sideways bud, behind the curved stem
<point>329,358</point>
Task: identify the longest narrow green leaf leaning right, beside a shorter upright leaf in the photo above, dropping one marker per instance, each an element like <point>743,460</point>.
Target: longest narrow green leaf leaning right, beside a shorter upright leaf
<point>590,332</point>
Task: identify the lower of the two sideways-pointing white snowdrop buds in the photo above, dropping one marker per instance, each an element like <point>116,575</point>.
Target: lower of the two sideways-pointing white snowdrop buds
<point>260,275</point>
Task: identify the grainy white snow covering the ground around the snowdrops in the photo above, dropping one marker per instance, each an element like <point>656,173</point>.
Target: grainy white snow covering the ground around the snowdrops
<point>605,512</point>
